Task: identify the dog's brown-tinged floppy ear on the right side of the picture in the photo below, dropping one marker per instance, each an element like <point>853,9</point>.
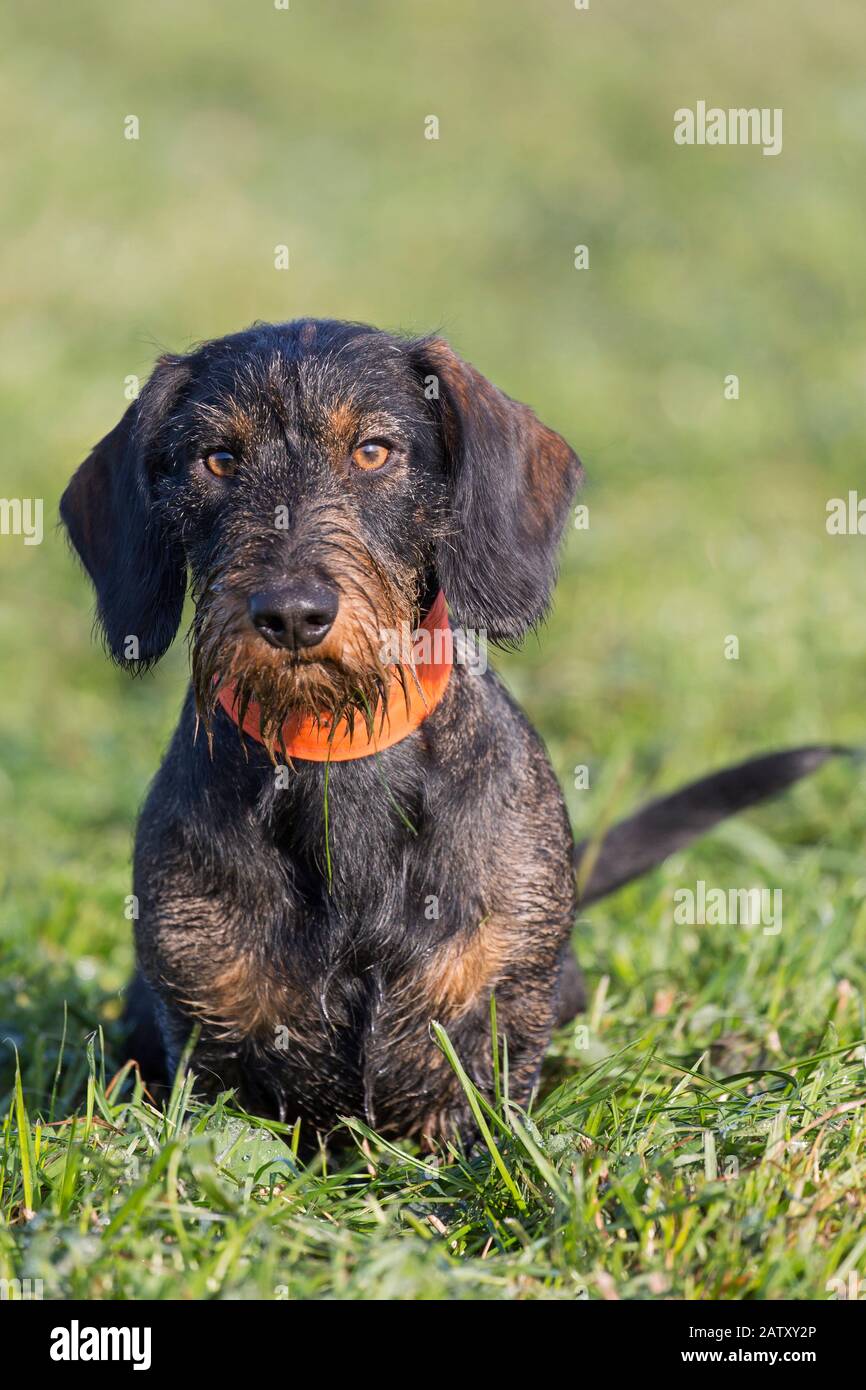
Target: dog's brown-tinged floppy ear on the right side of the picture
<point>511,486</point>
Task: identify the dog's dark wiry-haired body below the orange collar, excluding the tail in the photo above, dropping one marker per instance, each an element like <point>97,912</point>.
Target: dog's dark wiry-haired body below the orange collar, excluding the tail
<point>316,999</point>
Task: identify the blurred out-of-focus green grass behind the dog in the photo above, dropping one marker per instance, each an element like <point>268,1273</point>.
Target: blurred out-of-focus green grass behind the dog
<point>262,127</point>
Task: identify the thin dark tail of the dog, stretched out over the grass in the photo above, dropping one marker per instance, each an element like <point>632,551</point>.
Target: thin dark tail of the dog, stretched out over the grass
<point>664,826</point>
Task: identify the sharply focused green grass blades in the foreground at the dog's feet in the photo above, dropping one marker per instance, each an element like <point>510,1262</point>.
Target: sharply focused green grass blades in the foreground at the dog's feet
<point>643,1177</point>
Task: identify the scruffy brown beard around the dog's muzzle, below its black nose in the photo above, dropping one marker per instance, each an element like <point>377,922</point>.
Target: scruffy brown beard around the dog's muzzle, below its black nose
<point>345,678</point>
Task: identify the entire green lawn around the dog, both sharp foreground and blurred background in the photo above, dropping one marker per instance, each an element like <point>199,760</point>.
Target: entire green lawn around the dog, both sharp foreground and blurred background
<point>701,1135</point>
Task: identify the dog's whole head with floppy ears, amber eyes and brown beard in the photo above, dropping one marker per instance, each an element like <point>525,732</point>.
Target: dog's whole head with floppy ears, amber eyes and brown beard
<point>320,482</point>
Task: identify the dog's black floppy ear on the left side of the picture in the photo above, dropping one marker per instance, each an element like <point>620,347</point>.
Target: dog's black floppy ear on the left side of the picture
<point>117,529</point>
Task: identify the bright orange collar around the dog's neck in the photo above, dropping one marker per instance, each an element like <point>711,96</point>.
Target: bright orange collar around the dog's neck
<point>312,740</point>
